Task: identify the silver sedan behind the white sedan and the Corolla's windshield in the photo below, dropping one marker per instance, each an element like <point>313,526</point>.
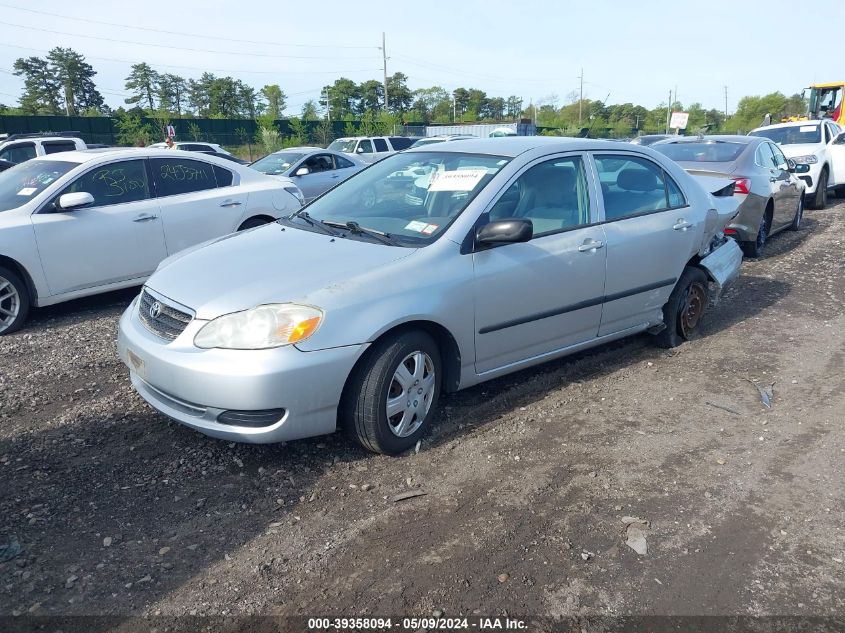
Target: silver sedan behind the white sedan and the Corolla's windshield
<point>313,169</point>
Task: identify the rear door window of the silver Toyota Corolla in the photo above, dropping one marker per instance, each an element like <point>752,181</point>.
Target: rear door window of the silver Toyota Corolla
<point>634,186</point>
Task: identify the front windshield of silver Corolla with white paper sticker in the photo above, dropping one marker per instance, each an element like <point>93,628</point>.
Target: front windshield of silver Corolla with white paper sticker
<point>412,197</point>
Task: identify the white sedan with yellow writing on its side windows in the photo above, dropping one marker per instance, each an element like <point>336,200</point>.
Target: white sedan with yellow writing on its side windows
<point>84,222</point>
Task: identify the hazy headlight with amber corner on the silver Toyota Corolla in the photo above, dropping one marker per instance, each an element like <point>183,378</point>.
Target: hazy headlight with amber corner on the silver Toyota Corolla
<point>263,327</point>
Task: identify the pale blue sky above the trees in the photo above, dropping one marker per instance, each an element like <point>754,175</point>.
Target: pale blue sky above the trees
<point>629,51</point>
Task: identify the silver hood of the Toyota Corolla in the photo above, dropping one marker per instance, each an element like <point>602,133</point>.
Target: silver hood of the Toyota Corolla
<point>269,264</point>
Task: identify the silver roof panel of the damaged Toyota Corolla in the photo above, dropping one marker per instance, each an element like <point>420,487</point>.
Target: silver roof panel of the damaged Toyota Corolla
<point>512,146</point>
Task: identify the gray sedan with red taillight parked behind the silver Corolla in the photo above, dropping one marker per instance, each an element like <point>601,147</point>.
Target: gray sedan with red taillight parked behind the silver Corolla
<point>772,196</point>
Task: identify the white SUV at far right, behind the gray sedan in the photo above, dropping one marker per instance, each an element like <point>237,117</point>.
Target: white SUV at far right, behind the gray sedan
<point>819,144</point>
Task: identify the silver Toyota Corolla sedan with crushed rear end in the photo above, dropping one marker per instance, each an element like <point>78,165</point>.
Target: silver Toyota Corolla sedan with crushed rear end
<point>358,315</point>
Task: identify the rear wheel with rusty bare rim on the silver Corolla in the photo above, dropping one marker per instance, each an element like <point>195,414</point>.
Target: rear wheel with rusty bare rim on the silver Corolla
<point>687,304</point>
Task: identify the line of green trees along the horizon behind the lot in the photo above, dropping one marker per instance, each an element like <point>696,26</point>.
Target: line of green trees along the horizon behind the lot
<point>62,82</point>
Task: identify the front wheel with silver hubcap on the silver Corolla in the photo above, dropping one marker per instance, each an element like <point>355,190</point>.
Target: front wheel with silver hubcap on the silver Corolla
<point>363,407</point>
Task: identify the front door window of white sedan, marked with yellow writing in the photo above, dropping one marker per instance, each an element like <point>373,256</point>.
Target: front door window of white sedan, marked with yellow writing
<point>113,183</point>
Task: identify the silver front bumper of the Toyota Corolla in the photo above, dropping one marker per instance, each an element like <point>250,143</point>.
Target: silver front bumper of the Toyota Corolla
<point>197,386</point>
